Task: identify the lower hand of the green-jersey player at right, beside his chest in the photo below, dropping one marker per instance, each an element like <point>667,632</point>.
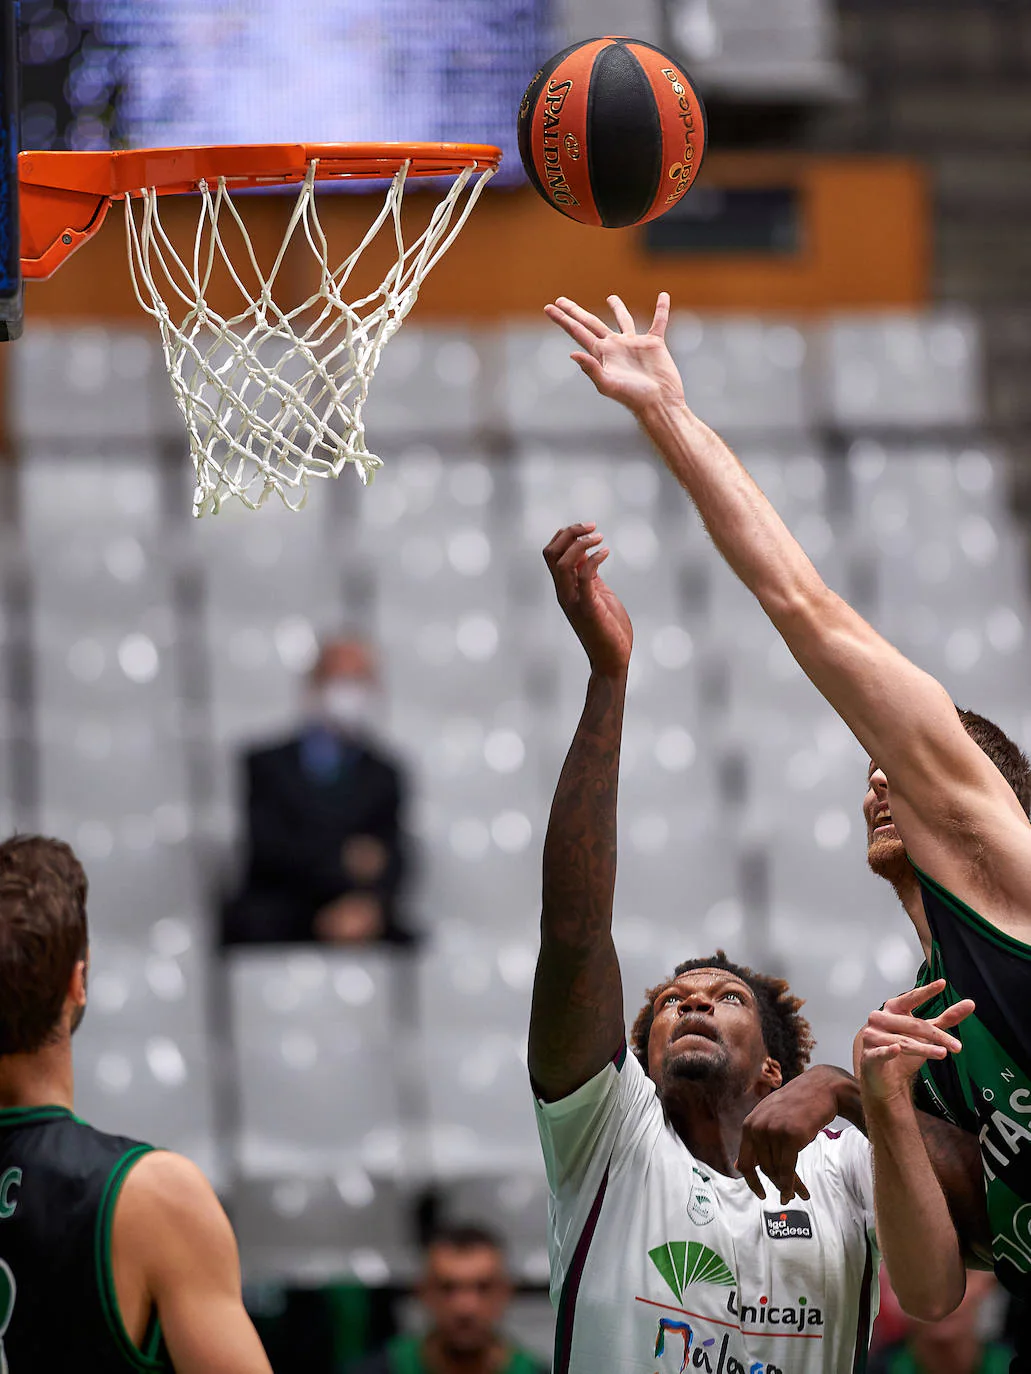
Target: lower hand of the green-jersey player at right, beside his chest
<point>894,1042</point>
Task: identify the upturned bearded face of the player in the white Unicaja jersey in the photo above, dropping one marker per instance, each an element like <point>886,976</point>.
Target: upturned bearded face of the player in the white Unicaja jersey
<point>707,1028</point>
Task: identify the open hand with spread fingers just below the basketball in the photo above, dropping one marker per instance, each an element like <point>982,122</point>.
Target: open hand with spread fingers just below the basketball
<point>633,369</point>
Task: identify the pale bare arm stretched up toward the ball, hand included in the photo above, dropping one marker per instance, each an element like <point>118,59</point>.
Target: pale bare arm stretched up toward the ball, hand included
<point>949,800</point>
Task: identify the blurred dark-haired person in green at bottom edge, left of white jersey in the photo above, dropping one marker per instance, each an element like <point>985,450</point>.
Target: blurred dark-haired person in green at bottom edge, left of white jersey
<point>465,1292</point>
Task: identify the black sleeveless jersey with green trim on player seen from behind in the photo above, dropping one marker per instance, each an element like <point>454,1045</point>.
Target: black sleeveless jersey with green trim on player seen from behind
<point>60,1181</point>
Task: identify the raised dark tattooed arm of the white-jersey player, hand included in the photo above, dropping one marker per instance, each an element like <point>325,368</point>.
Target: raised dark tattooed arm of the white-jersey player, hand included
<point>577,1017</point>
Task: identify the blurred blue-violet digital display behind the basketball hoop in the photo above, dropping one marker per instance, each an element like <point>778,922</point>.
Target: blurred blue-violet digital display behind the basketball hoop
<point>184,72</point>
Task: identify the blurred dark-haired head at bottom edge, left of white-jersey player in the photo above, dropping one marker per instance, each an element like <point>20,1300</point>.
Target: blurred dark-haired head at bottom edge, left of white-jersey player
<point>465,1288</point>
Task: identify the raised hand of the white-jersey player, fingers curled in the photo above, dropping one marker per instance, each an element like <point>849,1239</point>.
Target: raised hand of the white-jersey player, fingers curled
<point>590,605</point>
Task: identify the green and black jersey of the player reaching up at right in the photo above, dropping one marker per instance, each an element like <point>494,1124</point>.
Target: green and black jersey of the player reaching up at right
<point>988,1088</point>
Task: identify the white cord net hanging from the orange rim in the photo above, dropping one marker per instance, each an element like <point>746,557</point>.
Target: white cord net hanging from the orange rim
<point>271,396</point>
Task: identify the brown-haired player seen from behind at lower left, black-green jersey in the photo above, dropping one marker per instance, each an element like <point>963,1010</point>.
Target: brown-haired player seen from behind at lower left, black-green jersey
<point>113,1257</point>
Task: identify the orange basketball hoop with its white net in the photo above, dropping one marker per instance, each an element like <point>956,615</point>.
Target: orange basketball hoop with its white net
<point>273,396</point>
